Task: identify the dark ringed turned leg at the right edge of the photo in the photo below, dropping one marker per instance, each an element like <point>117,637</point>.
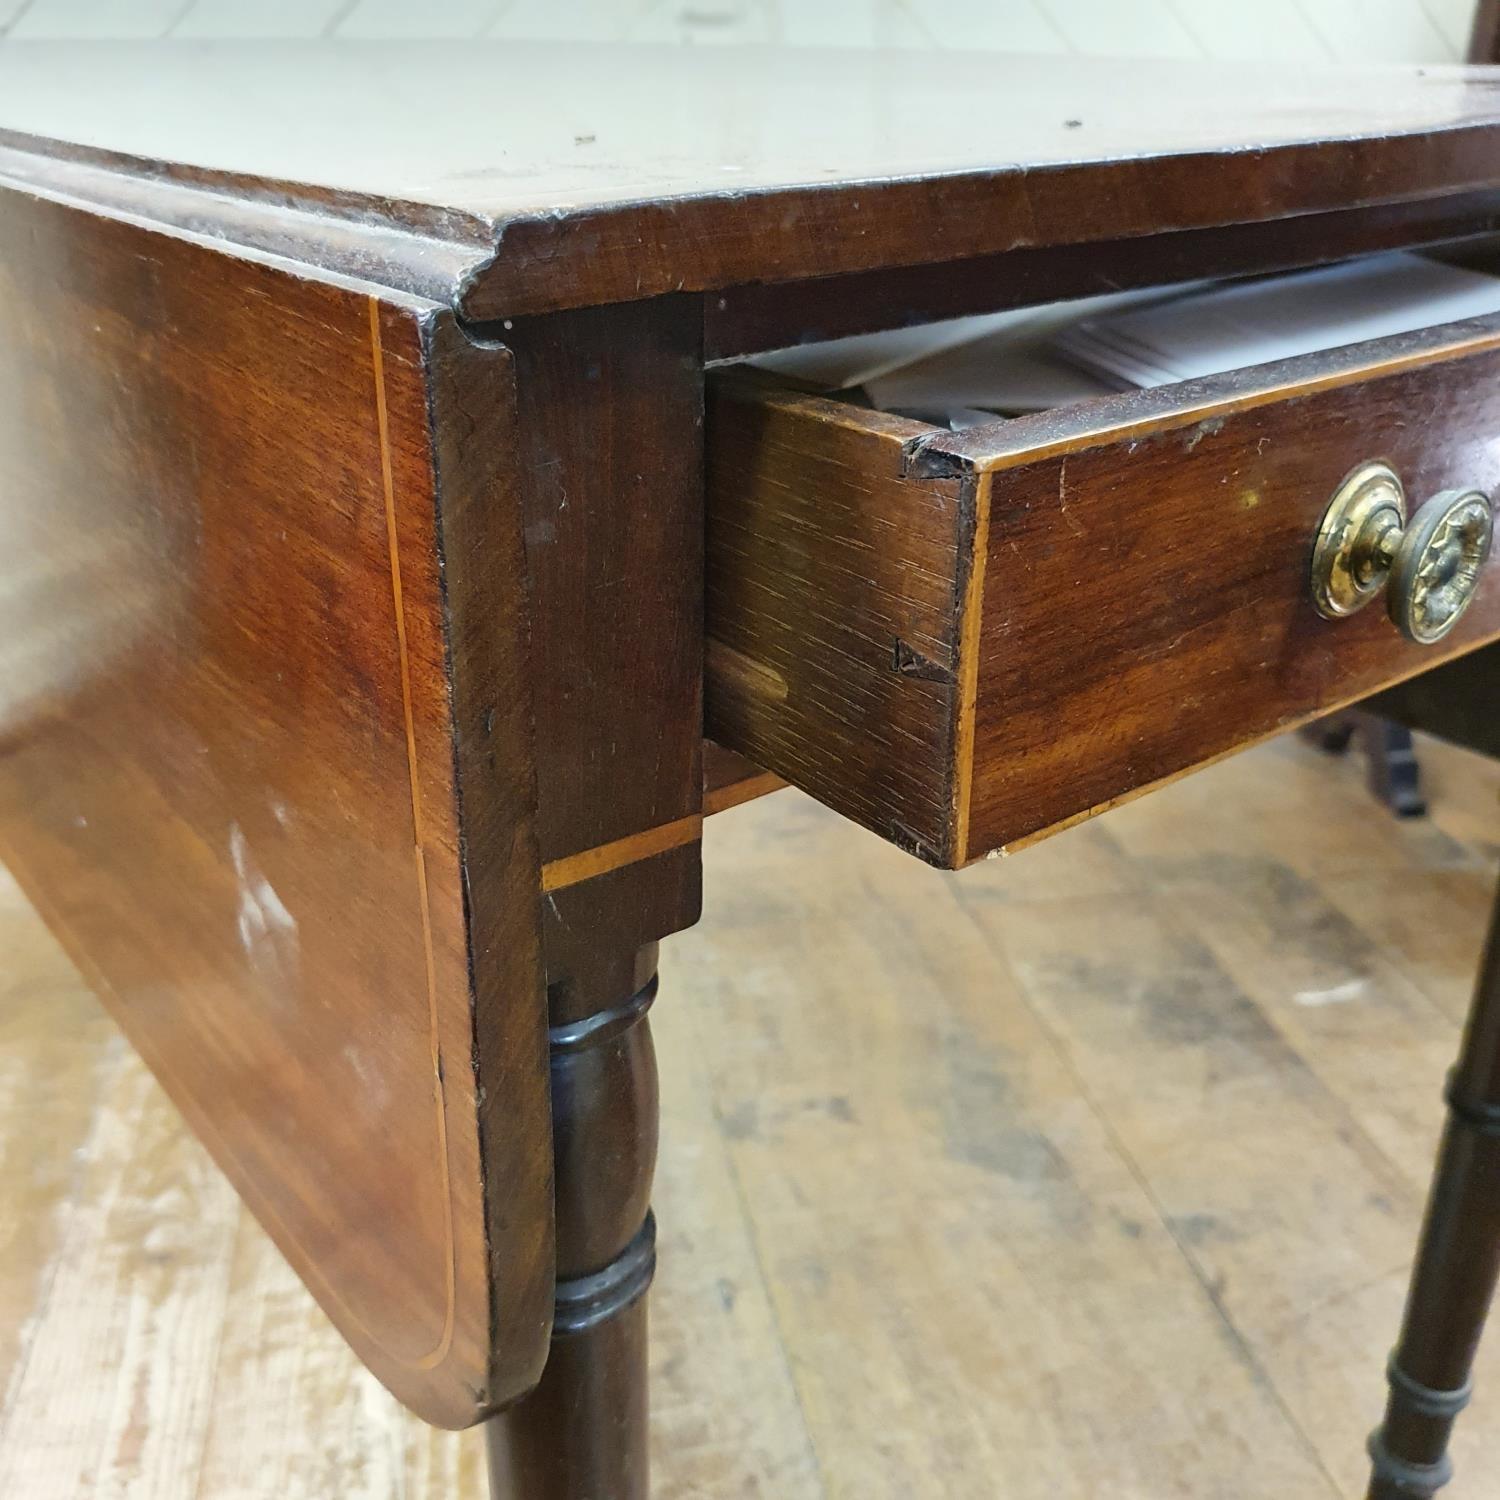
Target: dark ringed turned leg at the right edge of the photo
<point>1457,1265</point>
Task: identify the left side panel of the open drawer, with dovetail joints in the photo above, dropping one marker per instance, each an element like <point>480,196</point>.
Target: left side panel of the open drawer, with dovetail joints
<point>835,577</point>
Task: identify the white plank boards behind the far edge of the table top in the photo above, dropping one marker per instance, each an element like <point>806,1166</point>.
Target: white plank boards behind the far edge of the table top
<point>1309,31</point>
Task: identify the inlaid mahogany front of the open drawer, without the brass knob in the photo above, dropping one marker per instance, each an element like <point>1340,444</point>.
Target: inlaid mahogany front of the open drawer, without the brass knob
<point>1157,575</point>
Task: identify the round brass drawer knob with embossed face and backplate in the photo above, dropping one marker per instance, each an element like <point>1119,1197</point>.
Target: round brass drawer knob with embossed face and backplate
<point>1430,568</point>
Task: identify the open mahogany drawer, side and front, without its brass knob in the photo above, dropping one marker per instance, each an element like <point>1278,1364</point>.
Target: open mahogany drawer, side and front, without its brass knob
<point>965,641</point>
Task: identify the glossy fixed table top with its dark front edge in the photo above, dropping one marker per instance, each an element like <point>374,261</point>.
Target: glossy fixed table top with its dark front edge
<point>556,176</point>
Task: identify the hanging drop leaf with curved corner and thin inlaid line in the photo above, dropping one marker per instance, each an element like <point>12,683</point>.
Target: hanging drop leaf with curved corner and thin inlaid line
<point>269,778</point>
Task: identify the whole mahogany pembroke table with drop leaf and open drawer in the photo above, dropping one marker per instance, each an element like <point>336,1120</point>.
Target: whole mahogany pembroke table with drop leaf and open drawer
<point>385,524</point>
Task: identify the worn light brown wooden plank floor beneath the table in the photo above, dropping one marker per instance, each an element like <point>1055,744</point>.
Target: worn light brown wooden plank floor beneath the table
<point>1088,1174</point>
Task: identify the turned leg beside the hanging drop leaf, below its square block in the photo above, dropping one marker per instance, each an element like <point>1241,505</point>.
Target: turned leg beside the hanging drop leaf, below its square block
<point>583,1433</point>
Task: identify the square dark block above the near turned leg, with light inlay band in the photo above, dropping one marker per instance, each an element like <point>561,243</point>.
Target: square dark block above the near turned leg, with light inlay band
<point>611,476</point>
